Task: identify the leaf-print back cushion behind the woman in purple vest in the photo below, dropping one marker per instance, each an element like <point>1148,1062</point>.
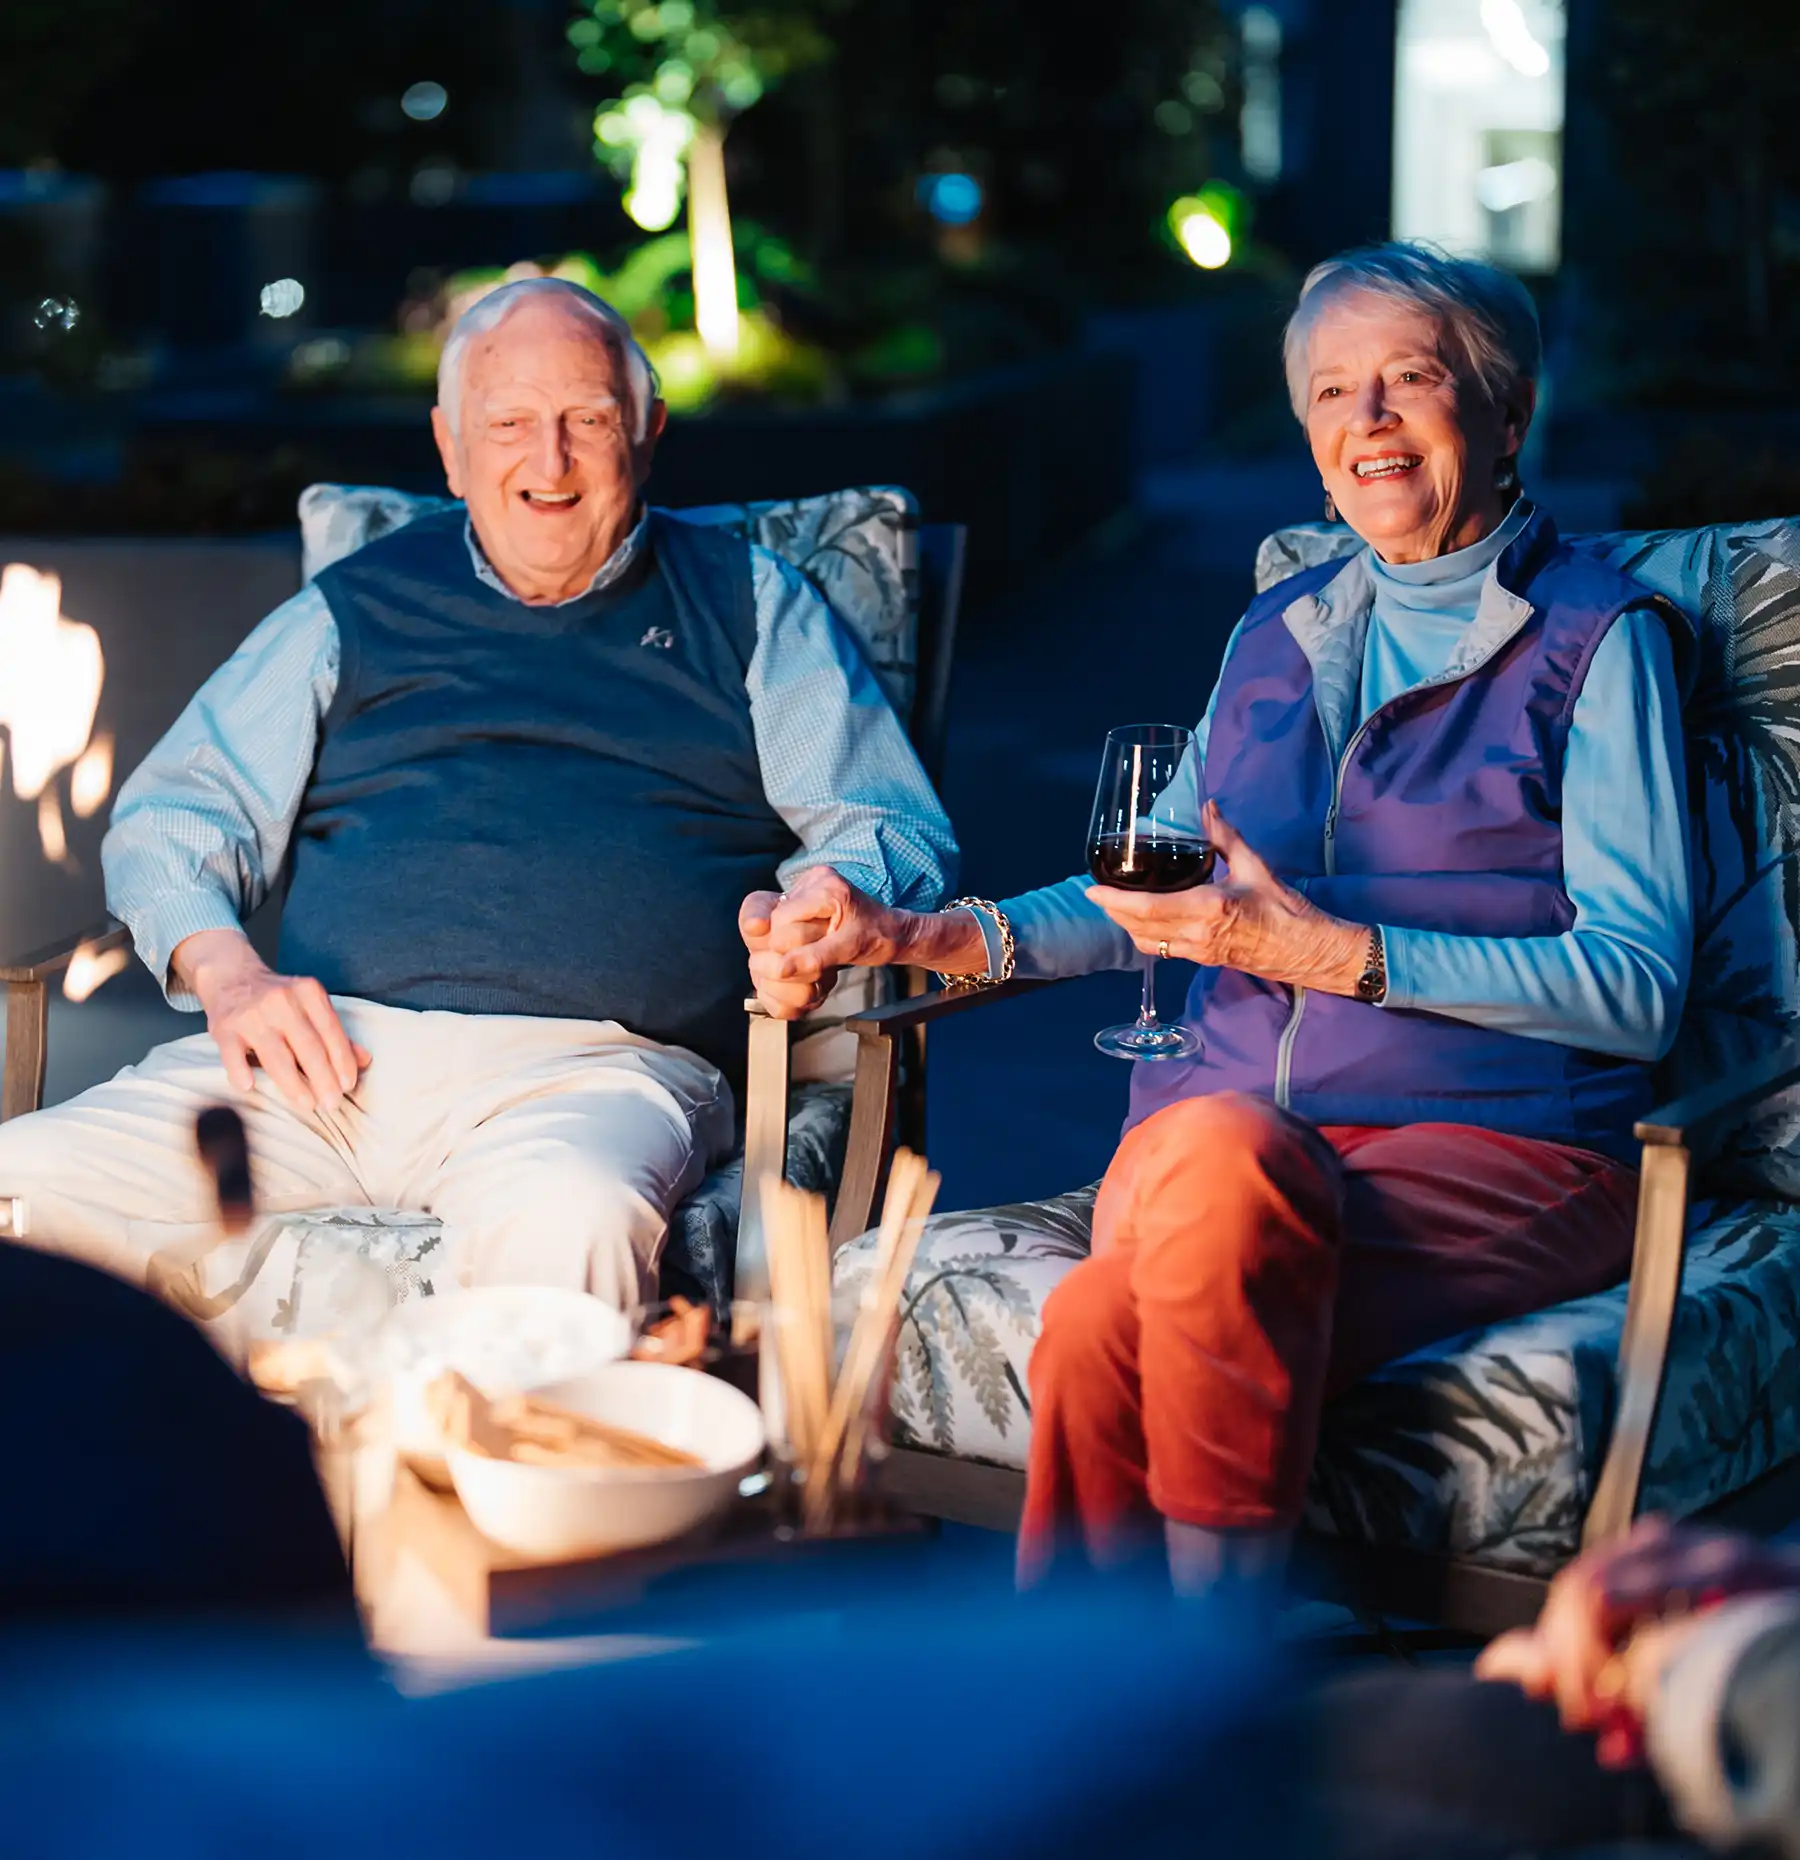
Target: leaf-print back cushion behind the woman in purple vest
<point>1740,583</point>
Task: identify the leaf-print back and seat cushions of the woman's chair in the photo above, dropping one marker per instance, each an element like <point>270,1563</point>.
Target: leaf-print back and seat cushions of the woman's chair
<point>1489,1446</point>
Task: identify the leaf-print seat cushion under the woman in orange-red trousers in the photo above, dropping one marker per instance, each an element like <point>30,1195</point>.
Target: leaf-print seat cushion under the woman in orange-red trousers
<point>1487,1446</point>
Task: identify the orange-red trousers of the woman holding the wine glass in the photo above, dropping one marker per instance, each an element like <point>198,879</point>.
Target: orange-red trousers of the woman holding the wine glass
<point>1247,1268</point>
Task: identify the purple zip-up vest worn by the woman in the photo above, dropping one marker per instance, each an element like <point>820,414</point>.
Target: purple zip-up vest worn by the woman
<point>1440,812</point>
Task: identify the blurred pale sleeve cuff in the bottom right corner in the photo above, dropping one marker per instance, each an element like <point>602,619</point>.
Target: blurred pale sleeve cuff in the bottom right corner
<point>1687,1714</point>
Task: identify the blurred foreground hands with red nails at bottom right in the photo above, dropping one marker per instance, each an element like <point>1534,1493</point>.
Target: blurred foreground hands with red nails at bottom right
<point>1617,1617</point>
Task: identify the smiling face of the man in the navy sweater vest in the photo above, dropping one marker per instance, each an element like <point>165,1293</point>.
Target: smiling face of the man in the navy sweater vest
<point>546,449</point>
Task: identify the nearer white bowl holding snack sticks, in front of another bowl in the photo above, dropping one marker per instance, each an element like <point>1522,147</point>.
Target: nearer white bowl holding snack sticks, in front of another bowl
<point>555,1513</point>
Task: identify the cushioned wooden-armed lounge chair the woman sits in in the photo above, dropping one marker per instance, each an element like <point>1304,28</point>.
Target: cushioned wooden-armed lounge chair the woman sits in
<point>1451,1485</point>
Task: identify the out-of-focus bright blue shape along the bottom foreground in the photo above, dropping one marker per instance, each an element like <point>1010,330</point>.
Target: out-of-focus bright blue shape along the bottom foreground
<point>951,1723</point>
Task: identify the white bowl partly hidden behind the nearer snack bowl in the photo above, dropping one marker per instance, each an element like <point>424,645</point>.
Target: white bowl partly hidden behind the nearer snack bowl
<point>507,1340</point>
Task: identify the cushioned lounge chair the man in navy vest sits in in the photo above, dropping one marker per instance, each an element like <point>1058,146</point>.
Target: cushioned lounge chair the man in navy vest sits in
<point>897,587</point>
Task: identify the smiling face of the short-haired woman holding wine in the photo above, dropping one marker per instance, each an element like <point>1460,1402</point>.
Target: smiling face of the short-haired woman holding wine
<point>1407,449</point>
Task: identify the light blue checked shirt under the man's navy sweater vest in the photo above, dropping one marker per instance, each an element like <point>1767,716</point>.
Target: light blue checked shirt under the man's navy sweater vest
<point>202,829</point>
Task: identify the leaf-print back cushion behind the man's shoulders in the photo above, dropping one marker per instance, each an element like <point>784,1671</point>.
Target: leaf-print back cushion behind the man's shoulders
<point>860,548</point>
